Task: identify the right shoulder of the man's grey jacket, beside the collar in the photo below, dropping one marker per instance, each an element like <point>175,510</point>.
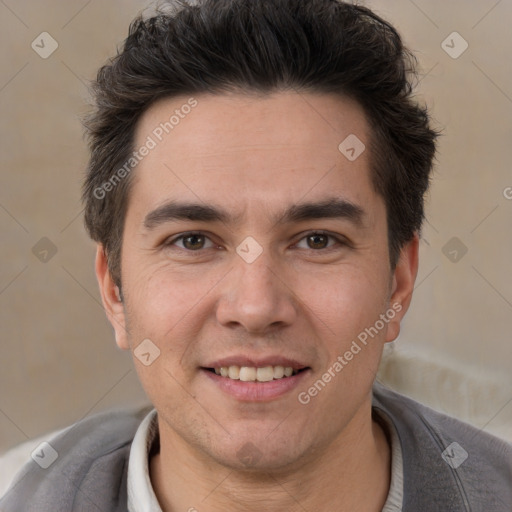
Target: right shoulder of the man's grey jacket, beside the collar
<point>446,460</point>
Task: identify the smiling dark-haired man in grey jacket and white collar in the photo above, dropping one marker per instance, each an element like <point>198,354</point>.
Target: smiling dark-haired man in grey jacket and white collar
<point>256,190</point>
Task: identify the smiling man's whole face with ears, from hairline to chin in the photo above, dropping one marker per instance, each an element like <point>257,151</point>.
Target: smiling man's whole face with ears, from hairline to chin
<point>252,241</point>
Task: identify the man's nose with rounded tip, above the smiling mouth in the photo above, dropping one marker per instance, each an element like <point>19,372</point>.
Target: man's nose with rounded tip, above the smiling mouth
<point>257,297</point>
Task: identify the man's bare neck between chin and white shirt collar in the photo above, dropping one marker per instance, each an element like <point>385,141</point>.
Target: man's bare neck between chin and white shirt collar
<point>352,472</point>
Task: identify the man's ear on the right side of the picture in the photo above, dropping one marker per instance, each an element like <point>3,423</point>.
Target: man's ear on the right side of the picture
<point>402,286</point>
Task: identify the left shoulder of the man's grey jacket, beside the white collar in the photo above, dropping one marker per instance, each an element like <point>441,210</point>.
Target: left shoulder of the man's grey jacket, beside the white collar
<point>85,465</point>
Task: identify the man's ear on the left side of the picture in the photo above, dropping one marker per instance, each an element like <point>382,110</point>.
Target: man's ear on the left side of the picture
<point>111,298</point>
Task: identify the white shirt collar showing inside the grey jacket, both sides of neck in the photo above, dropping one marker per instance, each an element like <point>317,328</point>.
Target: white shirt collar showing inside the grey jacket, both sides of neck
<point>142,498</point>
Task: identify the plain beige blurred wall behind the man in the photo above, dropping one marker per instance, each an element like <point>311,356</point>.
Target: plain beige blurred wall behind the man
<point>58,358</point>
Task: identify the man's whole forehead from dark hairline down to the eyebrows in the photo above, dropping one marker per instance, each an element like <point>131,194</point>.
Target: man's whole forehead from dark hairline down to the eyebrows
<point>240,148</point>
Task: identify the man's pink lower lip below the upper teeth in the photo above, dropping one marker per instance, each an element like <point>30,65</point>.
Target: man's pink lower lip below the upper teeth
<point>257,391</point>
